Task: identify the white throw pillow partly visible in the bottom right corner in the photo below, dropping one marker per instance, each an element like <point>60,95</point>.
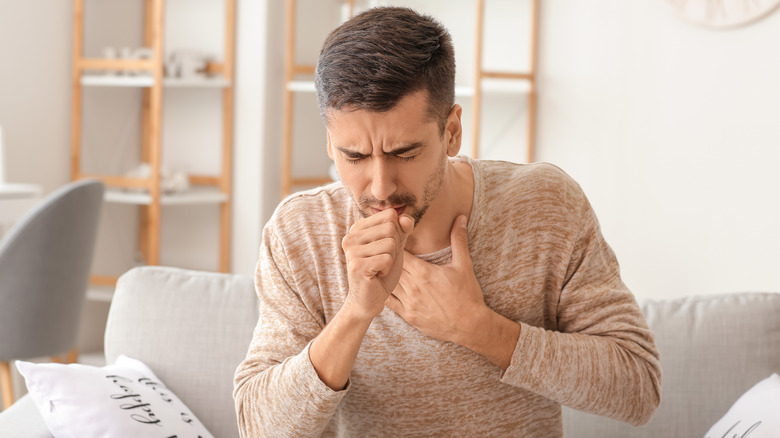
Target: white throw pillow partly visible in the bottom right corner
<point>756,414</point>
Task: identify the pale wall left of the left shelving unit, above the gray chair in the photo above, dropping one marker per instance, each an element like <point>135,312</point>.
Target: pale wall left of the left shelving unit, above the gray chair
<point>35,52</point>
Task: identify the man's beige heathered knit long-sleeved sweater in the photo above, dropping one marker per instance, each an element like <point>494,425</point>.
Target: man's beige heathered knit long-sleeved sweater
<point>540,259</point>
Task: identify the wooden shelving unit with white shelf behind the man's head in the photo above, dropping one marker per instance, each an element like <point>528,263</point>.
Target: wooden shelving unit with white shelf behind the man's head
<point>485,82</point>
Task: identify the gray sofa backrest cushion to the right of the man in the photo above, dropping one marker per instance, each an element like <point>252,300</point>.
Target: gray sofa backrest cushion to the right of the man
<point>713,349</point>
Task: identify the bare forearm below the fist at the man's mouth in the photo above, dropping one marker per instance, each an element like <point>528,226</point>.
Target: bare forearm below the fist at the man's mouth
<point>334,351</point>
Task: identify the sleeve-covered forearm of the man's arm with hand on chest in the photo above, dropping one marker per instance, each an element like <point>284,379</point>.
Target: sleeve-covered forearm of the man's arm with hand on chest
<point>602,374</point>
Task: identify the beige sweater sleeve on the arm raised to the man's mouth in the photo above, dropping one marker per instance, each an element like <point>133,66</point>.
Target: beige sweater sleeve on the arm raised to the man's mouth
<point>277,391</point>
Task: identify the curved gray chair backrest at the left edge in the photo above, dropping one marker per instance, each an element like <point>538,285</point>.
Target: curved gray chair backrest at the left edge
<point>45,259</point>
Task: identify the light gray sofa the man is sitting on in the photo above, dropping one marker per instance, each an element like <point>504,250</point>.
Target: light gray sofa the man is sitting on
<point>193,328</point>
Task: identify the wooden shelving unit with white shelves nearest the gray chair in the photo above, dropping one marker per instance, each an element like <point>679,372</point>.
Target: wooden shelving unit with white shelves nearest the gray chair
<point>146,193</point>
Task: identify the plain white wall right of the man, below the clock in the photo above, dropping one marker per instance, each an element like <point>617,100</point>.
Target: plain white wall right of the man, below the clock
<point>673,130</point>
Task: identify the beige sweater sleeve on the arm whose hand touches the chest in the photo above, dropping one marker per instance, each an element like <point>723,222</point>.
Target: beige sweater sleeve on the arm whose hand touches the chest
<point>602,358</point>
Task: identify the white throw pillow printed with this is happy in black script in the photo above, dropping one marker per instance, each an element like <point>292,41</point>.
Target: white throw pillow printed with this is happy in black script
<point>121,400</point>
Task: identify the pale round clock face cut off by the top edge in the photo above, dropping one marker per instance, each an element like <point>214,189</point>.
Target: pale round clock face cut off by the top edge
<point>723,13</point>
